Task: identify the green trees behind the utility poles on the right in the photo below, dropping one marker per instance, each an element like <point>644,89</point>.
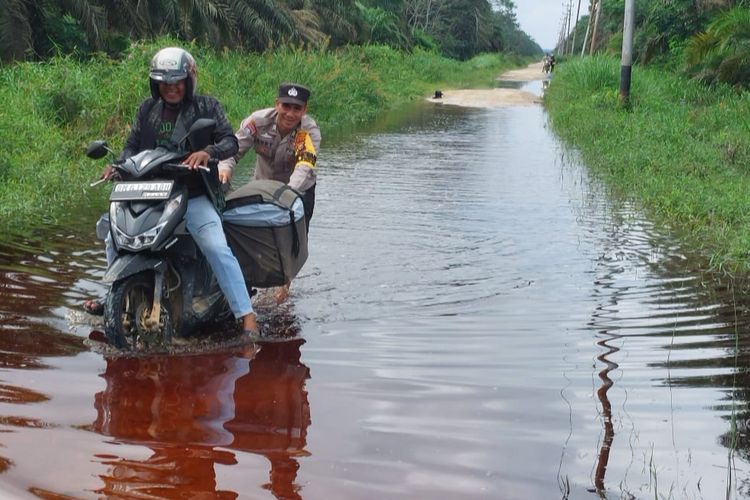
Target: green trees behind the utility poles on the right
<point>708,40</point>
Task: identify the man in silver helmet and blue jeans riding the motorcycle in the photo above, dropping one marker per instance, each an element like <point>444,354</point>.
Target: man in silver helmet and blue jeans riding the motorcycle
<point>161,119</point>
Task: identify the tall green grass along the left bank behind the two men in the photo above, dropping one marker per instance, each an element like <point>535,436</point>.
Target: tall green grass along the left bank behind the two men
<point>52,110</point>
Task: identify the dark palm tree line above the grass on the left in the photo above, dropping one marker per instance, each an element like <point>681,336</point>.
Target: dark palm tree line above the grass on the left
<point>459,29</point>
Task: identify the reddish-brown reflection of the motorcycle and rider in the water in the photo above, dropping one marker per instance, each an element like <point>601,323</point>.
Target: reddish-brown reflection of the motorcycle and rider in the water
<point>198,412</point>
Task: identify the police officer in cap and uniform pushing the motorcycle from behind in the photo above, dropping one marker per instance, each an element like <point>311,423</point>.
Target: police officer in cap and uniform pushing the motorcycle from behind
<point>286,141</point>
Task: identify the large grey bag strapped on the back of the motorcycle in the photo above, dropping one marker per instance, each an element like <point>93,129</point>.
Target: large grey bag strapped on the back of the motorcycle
<point>265,226</point>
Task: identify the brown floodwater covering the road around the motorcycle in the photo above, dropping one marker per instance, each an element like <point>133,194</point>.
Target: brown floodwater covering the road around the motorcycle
<point>478,318</point>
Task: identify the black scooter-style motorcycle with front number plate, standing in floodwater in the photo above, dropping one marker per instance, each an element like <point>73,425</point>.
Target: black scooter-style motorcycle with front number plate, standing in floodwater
<point>161,285</point>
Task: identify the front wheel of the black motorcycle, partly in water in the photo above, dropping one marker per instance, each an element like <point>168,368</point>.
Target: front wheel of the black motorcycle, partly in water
<point>127,312</point>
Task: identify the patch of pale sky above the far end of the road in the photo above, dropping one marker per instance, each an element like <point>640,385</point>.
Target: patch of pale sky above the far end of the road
<point>543,19</point>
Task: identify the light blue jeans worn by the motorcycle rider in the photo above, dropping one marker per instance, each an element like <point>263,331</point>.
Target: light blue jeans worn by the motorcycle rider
<point>204,225</point>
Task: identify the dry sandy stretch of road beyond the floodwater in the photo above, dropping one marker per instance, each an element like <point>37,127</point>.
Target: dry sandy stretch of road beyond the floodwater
<point>495,98</point>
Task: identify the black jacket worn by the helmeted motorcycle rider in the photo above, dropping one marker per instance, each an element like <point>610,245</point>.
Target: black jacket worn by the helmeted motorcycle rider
<point>146,124</point>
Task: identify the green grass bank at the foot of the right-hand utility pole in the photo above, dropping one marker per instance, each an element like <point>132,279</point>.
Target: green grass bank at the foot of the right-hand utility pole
<point>681,149</point>
